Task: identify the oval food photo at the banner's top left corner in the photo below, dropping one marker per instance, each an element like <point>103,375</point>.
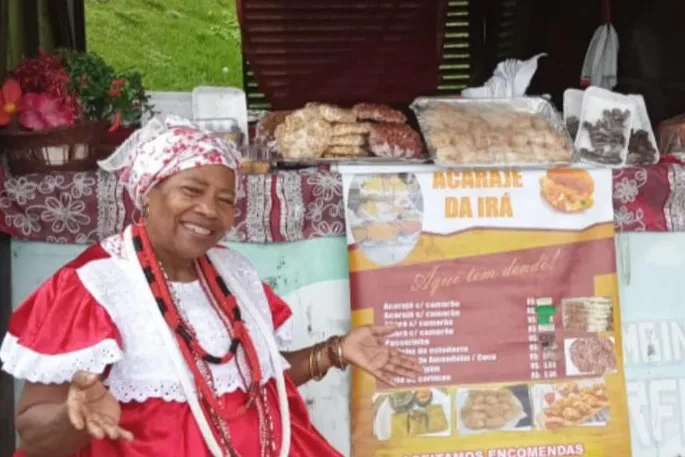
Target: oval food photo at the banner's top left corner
<point>385,213</point>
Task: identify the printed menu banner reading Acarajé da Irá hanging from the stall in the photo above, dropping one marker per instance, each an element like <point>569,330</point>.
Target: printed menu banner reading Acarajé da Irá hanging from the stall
<point>503,285</point>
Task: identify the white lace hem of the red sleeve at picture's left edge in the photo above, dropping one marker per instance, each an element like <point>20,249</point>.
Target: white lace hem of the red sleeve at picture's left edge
<point>24,363</point>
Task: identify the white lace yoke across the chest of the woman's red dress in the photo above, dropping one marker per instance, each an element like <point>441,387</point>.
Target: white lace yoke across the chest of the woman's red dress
<point>132,379</point>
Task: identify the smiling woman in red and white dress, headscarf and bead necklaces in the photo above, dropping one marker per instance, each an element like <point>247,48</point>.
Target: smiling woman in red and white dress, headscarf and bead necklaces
<point>155,342</point>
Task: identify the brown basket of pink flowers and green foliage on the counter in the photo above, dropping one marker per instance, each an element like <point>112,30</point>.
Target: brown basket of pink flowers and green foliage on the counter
<point>65,111</point>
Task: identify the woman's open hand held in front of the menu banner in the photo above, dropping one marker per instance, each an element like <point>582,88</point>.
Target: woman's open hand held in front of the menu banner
<point>365,348</point>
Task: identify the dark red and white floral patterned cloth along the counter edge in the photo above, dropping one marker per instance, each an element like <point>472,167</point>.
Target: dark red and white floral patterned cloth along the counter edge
<point>282,206</point>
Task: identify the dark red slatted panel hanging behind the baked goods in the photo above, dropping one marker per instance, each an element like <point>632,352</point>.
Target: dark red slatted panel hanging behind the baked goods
<point>348,51</point>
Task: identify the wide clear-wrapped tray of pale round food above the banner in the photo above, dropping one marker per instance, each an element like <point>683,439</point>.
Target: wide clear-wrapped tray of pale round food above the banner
<point>526,131</point>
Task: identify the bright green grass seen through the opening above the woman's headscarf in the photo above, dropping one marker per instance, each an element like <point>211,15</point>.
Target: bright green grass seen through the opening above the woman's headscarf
<point>175,44</point>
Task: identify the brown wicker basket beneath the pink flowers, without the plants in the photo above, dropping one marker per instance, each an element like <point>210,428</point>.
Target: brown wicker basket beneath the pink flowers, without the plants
<point>73,148</point>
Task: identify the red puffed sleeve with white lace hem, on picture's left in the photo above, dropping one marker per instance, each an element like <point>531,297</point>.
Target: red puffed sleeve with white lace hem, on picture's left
<point>59,330</point>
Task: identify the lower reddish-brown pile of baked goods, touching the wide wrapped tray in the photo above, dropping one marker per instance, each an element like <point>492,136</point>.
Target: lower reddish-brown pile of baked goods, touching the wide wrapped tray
<point>395,141</point>
